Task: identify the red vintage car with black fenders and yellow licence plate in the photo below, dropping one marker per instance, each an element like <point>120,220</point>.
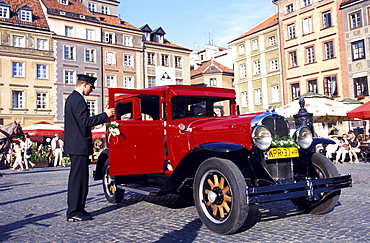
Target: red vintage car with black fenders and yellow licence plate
<point>190,139</point>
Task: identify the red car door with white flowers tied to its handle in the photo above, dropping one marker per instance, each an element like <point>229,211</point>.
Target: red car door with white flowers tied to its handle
<point>138,147</point>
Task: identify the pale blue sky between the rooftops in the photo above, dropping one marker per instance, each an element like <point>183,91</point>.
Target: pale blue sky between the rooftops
<point>195,23</point>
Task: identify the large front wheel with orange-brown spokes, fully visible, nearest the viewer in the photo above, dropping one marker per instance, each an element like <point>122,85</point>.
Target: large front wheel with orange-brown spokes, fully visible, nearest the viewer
<point>220,195</point>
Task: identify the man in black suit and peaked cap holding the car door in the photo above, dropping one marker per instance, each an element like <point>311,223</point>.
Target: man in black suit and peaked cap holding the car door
<point>78,144</point>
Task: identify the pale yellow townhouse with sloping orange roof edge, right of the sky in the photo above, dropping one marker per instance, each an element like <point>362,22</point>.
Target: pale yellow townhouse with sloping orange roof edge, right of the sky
<point>257,67</point>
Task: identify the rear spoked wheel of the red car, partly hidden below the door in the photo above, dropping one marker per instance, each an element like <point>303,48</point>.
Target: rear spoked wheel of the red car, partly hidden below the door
<point>112,193</point>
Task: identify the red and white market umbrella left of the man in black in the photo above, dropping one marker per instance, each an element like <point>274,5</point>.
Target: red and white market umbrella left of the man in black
<point>43,128</point>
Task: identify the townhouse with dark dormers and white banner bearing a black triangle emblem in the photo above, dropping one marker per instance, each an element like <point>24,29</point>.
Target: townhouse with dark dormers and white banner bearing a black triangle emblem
<point>165,63</point>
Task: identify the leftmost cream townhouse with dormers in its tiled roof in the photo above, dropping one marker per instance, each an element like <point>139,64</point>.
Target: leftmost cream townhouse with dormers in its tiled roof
<point>26,64</point>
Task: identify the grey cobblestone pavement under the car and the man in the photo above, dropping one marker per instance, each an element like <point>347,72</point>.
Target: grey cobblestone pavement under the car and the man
<point>33,206</point>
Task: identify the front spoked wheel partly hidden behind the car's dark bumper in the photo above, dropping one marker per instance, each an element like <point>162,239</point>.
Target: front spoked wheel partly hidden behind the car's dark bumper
<point>323,202</point>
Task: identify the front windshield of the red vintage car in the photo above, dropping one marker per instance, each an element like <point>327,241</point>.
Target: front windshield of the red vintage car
<point>186,106</point>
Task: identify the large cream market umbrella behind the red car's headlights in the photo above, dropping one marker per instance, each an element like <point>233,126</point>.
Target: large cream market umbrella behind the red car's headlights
<point>323,109</point>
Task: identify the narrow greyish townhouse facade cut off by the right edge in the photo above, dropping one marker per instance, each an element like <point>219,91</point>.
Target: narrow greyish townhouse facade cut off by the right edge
<point>356,17</point>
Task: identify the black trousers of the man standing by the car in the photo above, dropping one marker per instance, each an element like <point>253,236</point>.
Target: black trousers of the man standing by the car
<point>78,184</point>
